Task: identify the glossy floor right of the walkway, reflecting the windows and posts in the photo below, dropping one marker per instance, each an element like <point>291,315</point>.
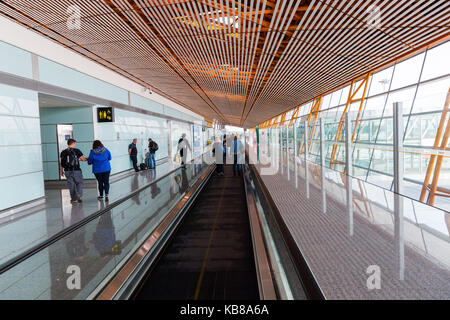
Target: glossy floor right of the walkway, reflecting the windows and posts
<point>382,246</point>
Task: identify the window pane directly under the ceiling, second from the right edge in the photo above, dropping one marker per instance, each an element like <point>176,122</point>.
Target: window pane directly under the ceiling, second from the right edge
<point>407,72</point>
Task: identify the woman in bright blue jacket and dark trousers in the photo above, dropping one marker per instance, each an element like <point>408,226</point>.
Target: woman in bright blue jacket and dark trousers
<point>99,159</point>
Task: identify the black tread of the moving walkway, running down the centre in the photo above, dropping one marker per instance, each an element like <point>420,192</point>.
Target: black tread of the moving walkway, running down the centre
<point>218,220</point>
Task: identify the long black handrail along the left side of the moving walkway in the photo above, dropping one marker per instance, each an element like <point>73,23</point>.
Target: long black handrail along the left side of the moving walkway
<point>63,233</point>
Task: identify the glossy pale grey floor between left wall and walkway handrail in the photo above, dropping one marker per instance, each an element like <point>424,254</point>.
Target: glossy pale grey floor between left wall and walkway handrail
<point>24,230</point>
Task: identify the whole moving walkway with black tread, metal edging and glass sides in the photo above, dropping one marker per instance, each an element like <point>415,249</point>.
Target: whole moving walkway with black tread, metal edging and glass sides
<point>190,235</point>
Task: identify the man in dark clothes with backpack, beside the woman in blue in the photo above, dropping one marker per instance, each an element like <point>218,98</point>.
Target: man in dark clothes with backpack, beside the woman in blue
<point>70,168</point>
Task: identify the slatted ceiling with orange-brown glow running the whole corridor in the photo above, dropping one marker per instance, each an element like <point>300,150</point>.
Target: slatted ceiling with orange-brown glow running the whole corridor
<point>238,62</point>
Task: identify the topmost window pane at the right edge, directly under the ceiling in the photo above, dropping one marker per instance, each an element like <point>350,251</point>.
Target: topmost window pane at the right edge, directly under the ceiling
<point>437,62</point>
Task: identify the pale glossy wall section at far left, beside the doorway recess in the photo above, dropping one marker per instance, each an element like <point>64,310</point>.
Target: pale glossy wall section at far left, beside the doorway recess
<point>21,171</point>
